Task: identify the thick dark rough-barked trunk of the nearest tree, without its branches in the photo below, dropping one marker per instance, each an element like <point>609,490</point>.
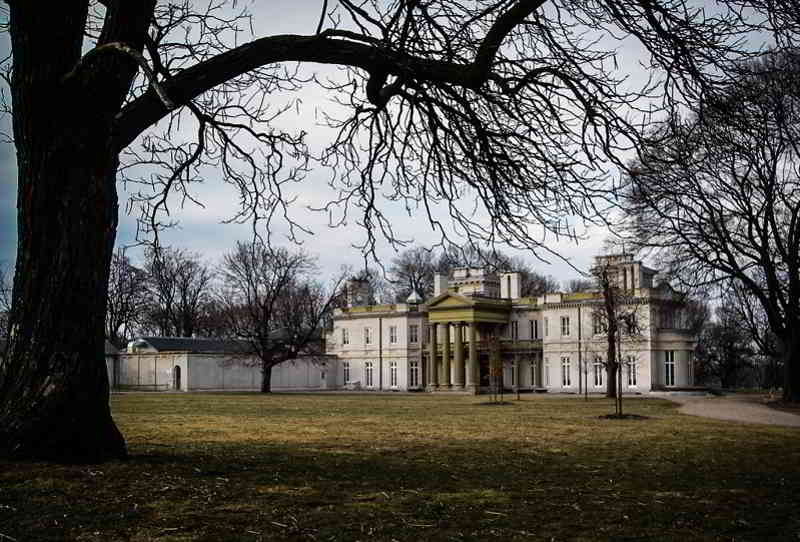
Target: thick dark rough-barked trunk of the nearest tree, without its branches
<point>54,394</point>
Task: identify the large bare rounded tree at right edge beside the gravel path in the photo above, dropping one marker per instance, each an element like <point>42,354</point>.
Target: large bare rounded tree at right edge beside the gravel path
<point>717,196</point>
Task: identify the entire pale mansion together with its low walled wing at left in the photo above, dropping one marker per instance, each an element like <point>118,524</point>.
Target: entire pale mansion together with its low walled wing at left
<point>476,332</point>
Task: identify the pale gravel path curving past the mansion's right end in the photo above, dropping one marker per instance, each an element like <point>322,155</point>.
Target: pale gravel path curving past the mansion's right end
<point>737,408</point>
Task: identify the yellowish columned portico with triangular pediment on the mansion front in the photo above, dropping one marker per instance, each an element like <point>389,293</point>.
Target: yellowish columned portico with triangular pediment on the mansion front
<point>451,316</point>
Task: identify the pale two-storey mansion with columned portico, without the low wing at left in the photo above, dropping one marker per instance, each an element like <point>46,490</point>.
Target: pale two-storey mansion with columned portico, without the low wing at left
<point>477,331</point>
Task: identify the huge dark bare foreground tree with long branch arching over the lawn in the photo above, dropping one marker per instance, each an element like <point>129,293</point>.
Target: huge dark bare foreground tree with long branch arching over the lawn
<point>501,111</point>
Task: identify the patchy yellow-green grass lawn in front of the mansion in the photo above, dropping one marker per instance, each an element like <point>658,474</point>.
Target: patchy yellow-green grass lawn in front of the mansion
<point>412,467</point>
